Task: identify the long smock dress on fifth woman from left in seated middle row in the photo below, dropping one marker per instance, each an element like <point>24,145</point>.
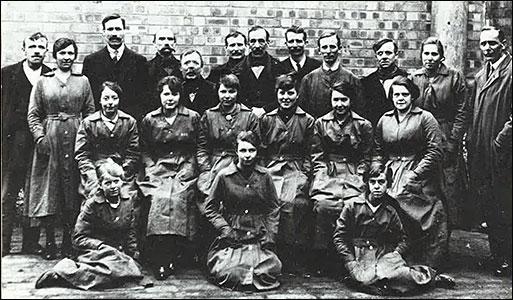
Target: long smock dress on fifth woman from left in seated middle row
<point>339,154</point>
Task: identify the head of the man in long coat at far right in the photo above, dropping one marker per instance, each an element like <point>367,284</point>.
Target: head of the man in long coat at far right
<point>492,43</point>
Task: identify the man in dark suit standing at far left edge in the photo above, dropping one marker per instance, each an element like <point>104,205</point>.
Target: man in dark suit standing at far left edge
<point>17,143</point>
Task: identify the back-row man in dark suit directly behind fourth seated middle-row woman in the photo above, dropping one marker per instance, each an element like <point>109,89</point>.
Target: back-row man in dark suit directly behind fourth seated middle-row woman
<point>298,64</point>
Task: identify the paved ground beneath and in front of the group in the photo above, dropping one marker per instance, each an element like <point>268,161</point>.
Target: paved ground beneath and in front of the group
<point>20,272</point>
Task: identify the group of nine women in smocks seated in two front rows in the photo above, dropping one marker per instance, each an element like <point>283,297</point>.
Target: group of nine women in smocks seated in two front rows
<point>261,207</point>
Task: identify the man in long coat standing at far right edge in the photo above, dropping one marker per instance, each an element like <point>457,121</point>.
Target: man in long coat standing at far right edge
<point>488,115</point>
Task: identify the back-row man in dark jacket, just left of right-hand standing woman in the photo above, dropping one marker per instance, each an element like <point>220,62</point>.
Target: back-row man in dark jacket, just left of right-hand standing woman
<point>377,84</point>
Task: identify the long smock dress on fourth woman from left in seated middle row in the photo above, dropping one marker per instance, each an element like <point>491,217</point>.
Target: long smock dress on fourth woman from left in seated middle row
<point>286,148</point>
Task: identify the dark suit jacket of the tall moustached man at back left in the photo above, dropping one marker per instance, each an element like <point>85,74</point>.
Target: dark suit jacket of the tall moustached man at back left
<point>130,72</point>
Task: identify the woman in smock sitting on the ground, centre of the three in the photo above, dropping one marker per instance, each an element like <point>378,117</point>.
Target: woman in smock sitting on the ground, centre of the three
<point>244,209</point>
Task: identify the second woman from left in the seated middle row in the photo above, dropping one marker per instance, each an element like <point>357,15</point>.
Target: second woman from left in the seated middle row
<point>169,137</point>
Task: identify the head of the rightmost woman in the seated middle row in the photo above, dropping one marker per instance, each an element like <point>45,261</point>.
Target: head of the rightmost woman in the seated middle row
<point>402,93</point>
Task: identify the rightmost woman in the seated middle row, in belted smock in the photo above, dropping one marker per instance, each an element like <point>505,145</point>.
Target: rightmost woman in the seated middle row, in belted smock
<point>410,139</point>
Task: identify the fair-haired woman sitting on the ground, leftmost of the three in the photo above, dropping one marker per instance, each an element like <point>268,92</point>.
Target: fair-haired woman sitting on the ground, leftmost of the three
<point>105,235</point>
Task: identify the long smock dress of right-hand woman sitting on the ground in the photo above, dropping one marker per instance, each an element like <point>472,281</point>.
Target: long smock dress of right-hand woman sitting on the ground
<point>370,239</point>
